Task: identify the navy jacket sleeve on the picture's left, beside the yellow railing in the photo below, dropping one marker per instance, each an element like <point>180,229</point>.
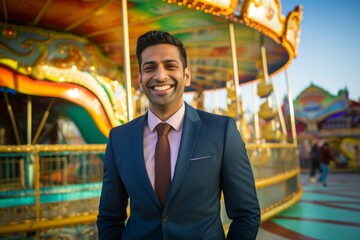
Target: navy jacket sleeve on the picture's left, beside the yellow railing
<point>113,199</point>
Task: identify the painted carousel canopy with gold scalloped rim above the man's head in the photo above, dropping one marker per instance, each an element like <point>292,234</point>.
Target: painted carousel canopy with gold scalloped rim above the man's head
<point>203,26</point>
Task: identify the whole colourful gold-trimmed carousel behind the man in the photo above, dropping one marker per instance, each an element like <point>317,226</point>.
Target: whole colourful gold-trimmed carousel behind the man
<point>68,74</point>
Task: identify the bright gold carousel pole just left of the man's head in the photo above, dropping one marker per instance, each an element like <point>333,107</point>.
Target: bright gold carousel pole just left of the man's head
<point>127,71</point>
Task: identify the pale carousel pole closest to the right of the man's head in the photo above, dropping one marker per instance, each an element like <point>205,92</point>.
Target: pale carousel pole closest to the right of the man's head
<point>235,70</point>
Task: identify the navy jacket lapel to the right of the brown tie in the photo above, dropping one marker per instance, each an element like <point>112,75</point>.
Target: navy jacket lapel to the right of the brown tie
<point>190,132</point>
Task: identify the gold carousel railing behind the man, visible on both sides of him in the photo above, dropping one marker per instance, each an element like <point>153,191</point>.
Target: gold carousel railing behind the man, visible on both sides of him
<point>52,186</point>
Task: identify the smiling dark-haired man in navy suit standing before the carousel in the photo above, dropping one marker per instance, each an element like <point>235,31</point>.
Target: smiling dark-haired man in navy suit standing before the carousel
<point>207,157</point>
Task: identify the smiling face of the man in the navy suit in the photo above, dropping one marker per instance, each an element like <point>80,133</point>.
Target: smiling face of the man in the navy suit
<point>162,77</point>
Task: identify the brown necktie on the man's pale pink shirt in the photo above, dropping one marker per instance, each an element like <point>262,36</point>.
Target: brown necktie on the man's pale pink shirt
<point>162,162</point>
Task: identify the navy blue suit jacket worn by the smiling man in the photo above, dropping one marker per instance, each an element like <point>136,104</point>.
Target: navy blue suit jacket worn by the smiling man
<point>212,158</point>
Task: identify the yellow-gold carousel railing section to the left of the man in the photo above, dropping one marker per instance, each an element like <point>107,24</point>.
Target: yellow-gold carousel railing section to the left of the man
<point>46,186</point>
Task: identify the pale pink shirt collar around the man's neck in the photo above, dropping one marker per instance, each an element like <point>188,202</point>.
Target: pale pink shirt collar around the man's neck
<point>176,120</point>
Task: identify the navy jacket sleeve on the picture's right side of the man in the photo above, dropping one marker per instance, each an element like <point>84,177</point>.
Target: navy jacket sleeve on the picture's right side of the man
<point>238,183</point>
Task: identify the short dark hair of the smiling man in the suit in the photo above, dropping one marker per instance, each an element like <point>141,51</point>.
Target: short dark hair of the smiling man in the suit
<point>158,37</point>
